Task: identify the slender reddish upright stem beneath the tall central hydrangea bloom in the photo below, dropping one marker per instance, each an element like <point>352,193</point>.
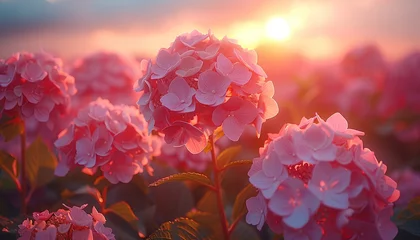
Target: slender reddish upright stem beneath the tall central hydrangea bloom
<point>218,189</point>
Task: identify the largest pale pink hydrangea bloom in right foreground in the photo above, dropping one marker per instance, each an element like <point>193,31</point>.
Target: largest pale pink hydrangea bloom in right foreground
<point>316,180</point>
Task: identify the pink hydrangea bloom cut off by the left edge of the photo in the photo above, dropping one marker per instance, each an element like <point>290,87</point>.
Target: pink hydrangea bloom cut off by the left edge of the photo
<point>34,85</point>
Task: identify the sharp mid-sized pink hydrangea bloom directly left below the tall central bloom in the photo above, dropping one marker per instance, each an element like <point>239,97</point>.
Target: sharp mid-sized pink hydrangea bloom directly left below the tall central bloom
<point>113,138</point>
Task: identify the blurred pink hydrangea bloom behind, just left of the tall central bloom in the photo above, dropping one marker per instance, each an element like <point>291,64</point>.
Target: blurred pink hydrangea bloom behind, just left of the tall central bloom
<point>107,75</point>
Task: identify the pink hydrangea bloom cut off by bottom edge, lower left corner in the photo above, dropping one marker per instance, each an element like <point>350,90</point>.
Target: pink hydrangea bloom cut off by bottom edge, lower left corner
<point>71,223</point>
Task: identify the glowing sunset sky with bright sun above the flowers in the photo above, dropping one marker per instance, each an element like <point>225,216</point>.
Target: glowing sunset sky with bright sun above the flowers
<point>319,29</point>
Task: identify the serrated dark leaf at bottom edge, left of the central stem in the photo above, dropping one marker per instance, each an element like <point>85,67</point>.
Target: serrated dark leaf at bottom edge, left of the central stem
<point>180,229</point>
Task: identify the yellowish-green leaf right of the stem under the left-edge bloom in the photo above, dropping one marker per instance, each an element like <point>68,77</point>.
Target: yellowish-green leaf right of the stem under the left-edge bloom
<point>40,163</point>
